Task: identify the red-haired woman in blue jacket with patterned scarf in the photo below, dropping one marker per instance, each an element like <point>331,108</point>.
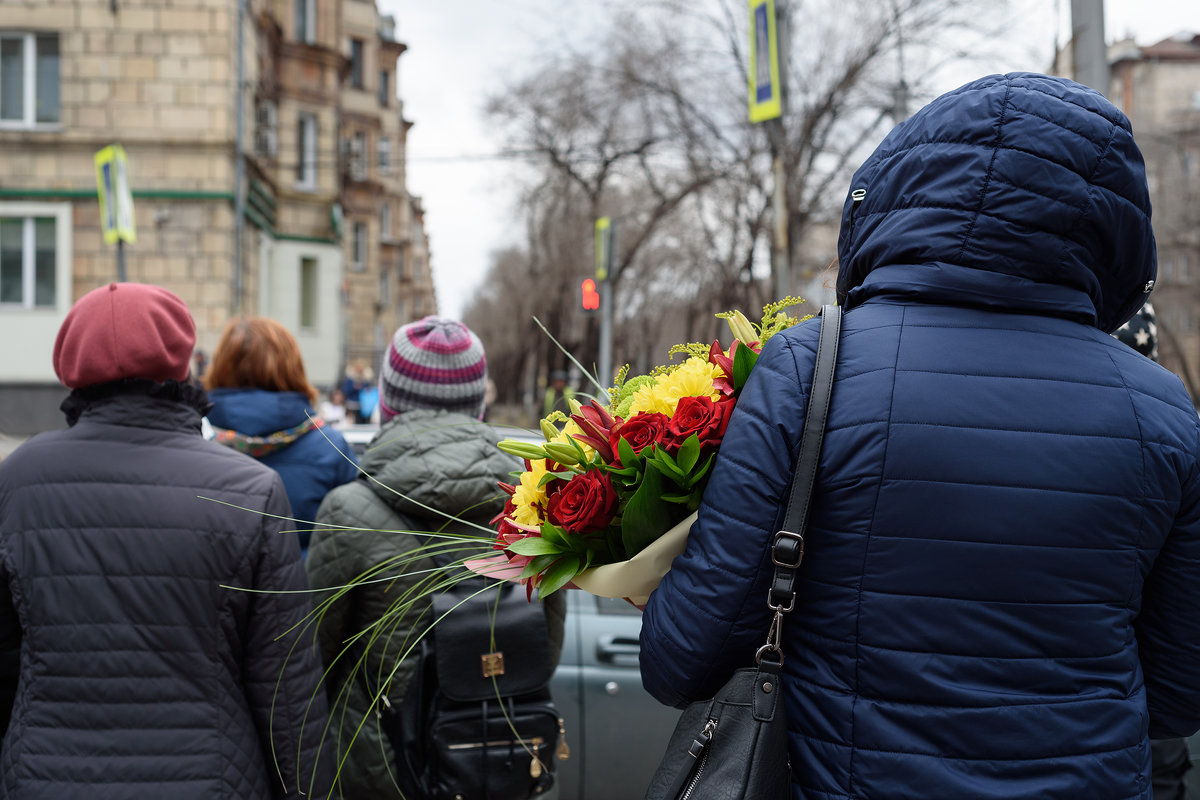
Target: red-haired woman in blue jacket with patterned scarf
<point>262,406</point>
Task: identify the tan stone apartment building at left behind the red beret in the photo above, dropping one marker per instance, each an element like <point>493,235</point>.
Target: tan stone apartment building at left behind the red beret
<point>161,79</point>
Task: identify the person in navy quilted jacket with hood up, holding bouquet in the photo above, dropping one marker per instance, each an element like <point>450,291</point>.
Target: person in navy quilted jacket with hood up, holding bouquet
<point>1001,590</point>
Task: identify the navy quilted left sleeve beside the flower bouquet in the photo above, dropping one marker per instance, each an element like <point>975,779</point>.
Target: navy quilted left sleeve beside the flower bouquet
<point>710,615</point>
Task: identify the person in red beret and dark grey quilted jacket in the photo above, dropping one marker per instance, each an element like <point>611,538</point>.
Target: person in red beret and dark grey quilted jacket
<point>151,605</point>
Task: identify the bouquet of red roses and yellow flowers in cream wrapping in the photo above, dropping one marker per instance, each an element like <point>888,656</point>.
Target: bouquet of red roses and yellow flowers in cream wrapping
<point>605,504</point>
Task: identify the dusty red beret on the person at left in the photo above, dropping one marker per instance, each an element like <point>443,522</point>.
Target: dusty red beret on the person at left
<point>125,330</point>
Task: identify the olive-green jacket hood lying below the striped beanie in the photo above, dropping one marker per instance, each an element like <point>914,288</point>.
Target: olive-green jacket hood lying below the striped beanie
<point>439,460</point>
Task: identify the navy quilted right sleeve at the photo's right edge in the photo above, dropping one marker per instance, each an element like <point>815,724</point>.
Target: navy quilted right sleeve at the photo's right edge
<point>1169,627</point>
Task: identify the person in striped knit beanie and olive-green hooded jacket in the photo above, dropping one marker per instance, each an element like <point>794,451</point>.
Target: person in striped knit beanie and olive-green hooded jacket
<point>433,467</point>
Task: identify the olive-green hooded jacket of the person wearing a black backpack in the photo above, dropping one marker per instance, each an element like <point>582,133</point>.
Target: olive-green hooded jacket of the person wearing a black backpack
<point>418,462</point>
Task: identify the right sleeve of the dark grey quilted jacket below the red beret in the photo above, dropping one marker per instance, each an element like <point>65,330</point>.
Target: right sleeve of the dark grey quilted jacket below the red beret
<point>281,666</point>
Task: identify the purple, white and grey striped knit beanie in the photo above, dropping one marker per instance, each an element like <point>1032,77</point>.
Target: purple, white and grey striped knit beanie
<point>434,364</point>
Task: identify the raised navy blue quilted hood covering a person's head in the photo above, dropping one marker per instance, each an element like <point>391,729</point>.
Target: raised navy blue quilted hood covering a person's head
<point>1019,193</point>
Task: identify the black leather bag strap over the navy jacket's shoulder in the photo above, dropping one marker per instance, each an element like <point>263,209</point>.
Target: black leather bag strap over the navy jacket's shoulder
<point>788,550</point>
